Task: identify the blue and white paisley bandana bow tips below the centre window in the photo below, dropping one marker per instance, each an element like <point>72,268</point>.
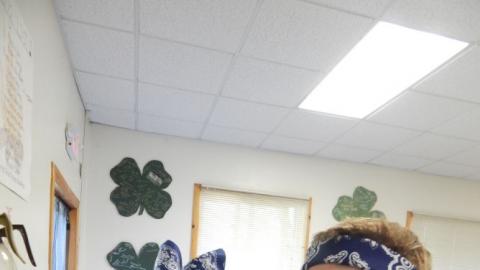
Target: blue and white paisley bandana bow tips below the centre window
<point>170,258</point>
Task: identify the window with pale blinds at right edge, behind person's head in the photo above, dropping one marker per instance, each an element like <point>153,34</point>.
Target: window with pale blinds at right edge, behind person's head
<point>454,243</point>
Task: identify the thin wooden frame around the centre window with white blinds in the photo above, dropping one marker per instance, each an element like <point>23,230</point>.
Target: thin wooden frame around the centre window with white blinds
<point>197,188</point>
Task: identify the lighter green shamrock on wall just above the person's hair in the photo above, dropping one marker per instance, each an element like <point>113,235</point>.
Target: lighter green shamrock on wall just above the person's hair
<point>360,205</point>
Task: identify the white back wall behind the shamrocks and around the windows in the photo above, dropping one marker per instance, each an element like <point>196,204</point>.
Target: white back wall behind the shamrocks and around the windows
<point>233,167</point>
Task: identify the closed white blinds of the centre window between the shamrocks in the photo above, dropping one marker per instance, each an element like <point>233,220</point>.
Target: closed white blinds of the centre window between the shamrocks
<point>256,231</point>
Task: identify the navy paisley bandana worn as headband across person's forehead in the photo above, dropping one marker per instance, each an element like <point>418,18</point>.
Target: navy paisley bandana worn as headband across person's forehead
<point>357,252</point>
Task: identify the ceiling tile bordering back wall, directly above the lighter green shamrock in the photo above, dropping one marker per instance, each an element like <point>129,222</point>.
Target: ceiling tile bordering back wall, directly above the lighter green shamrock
<point>348,153</point>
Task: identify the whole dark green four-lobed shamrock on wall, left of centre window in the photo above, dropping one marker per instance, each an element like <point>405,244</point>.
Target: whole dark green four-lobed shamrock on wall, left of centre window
<point>144,190</point>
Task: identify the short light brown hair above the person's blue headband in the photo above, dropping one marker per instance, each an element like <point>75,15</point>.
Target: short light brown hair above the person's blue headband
<point>392,235</point>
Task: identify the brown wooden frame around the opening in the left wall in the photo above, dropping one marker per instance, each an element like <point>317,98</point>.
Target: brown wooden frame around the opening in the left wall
<point>59,187</point>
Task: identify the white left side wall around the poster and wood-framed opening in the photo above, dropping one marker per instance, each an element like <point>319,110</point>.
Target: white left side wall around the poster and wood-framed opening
<point>56,102</point>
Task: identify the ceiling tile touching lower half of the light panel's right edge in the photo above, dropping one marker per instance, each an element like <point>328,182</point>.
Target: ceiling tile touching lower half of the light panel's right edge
<point>420,111</point>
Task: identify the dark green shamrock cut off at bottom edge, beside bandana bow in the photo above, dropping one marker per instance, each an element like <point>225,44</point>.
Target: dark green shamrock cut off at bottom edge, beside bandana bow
<point>123,257</point>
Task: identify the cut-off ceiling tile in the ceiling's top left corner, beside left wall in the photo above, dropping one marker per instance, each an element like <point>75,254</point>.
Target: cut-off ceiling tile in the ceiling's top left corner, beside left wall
<point>110,13</point>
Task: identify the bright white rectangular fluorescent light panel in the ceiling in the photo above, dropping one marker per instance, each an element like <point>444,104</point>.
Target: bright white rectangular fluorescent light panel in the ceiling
<point>388,60</point>
